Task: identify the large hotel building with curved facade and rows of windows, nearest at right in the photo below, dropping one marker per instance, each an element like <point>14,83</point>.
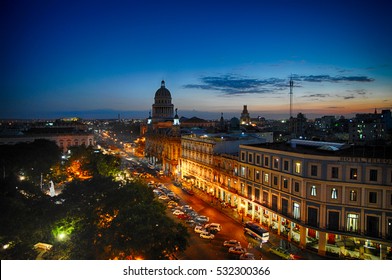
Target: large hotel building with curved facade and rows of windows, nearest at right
<point>328,198</point>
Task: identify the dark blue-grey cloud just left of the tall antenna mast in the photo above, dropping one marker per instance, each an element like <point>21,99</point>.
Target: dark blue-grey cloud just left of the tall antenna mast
<point>236,85</point>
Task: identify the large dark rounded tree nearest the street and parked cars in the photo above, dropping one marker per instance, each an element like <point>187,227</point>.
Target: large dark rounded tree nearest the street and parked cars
<point>121,222</point>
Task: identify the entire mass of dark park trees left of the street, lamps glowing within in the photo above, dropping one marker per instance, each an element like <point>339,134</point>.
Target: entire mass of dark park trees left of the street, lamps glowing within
<point>97,218</point>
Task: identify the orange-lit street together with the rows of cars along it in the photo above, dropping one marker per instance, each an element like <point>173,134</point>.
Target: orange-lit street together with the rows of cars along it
<point>191,206</point>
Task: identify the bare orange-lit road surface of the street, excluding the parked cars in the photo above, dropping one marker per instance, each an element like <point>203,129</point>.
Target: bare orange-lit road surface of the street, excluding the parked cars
<point>232,224</point>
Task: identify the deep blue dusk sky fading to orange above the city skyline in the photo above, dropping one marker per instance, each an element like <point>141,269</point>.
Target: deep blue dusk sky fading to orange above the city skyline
<point>100,58</point>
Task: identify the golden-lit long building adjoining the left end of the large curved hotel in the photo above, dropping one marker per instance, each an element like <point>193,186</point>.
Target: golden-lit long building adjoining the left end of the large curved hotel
<point>210,163</point>
